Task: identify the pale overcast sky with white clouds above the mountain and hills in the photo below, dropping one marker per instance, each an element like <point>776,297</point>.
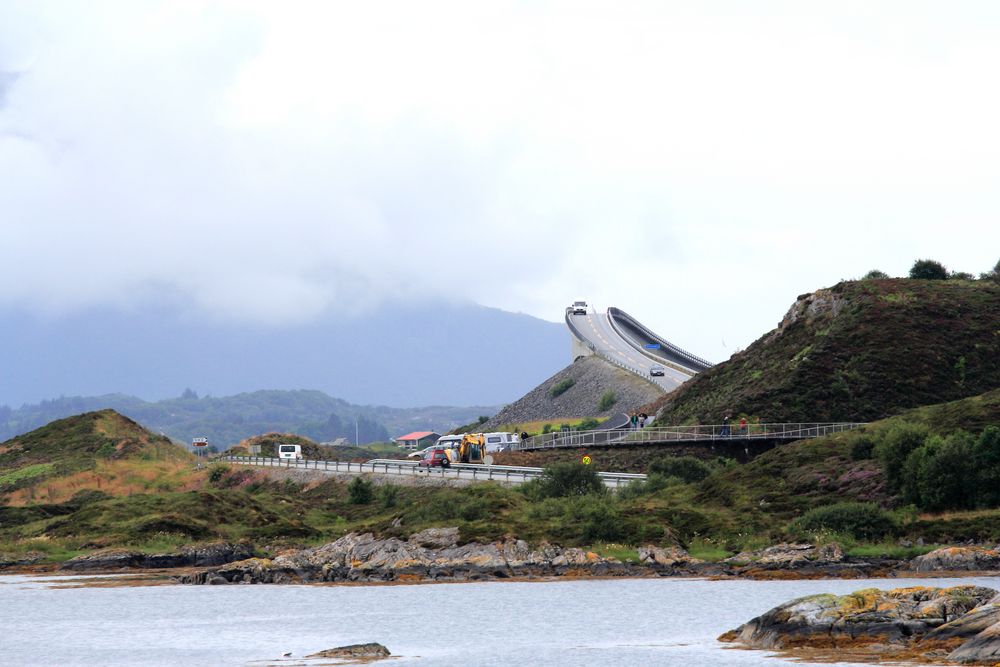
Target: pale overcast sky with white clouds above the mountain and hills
<point>698,164</point>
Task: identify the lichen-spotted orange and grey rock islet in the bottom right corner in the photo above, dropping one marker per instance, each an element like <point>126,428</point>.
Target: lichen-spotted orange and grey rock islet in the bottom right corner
<point>960,624</point>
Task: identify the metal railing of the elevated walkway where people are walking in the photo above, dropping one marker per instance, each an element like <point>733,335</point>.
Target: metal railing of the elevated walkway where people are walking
<point>680,434</point>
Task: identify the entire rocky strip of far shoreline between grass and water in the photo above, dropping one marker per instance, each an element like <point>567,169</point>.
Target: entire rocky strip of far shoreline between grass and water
<point>437,555</point>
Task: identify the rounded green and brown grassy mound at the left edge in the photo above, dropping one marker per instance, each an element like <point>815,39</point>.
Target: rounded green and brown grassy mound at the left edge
<point>76,446</point>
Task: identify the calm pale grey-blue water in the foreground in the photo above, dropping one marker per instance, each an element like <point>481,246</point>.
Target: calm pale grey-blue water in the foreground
<point>613,622</point>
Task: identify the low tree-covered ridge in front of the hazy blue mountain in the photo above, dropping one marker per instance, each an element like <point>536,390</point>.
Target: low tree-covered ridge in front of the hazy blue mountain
<point>227,420</point>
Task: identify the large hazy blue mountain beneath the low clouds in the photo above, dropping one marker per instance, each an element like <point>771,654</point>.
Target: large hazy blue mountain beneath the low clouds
<point>402,354</point>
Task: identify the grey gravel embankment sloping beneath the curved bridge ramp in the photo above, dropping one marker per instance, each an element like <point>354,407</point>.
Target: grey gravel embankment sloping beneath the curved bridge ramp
<point>584,383</point>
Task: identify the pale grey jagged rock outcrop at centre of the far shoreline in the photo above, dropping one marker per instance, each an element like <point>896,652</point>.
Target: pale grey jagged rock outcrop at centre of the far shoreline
<point>432,554</point>
